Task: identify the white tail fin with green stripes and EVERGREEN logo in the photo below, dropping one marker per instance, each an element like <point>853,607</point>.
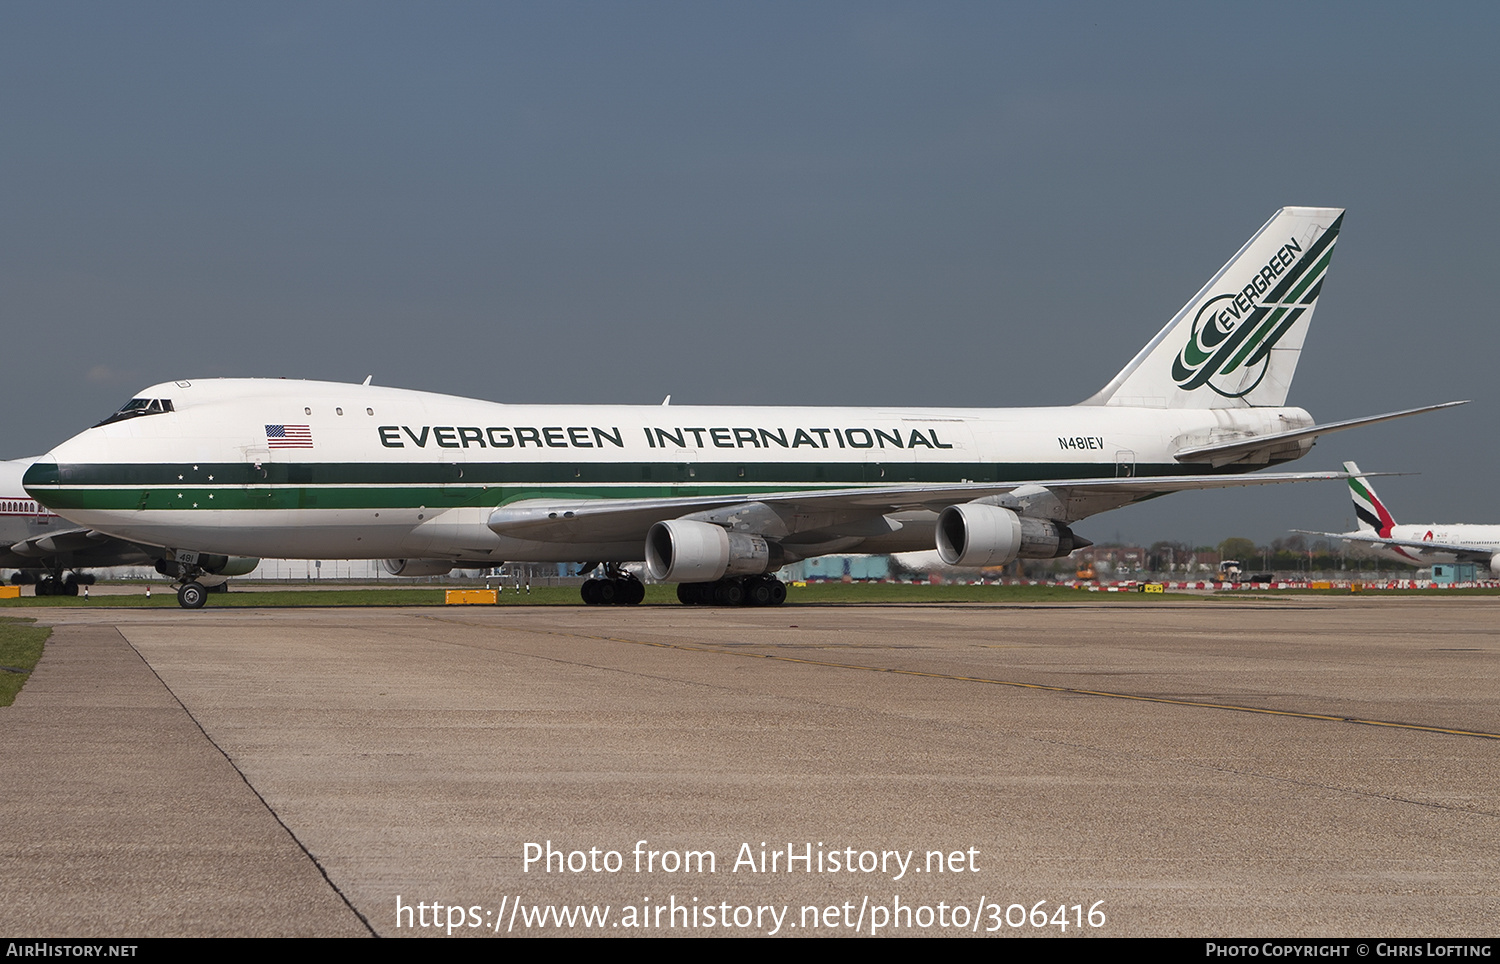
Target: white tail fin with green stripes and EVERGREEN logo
<point>1238,341</point>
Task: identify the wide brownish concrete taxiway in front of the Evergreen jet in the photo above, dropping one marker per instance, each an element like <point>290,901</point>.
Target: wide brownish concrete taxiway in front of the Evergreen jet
<point>1222,768</point>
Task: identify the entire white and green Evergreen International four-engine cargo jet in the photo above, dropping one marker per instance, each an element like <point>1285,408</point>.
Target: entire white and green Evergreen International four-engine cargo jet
<point>715,500</point>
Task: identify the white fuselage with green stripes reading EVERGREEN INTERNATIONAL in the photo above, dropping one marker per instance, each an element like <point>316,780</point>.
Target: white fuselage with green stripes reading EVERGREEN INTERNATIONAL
<point>323,470</point>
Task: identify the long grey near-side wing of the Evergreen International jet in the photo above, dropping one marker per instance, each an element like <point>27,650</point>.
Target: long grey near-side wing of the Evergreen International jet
<point>856,512</point>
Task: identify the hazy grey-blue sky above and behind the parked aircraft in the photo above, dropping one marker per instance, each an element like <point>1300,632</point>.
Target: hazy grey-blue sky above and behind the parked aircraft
<point>773,203</point>
